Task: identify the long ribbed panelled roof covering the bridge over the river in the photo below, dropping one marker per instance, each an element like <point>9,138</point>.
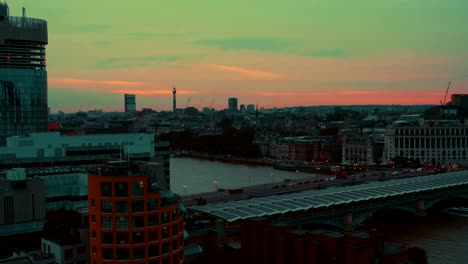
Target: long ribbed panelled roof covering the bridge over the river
<point>309,199</point>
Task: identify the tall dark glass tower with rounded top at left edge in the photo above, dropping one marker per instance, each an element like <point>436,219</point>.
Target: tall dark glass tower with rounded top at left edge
<point>23,75</point>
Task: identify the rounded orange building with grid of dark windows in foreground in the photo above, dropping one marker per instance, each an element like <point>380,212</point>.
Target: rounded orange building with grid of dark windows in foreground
<point>129,223</point>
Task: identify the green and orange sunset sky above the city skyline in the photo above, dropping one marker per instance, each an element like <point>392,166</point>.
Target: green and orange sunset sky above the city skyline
<point>265,52</point>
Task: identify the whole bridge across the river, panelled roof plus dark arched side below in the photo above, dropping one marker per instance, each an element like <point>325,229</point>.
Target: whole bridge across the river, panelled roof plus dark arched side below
<point>346,206</point>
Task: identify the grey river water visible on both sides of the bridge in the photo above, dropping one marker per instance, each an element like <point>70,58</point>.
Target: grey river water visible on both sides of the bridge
<point>443,236</point>
